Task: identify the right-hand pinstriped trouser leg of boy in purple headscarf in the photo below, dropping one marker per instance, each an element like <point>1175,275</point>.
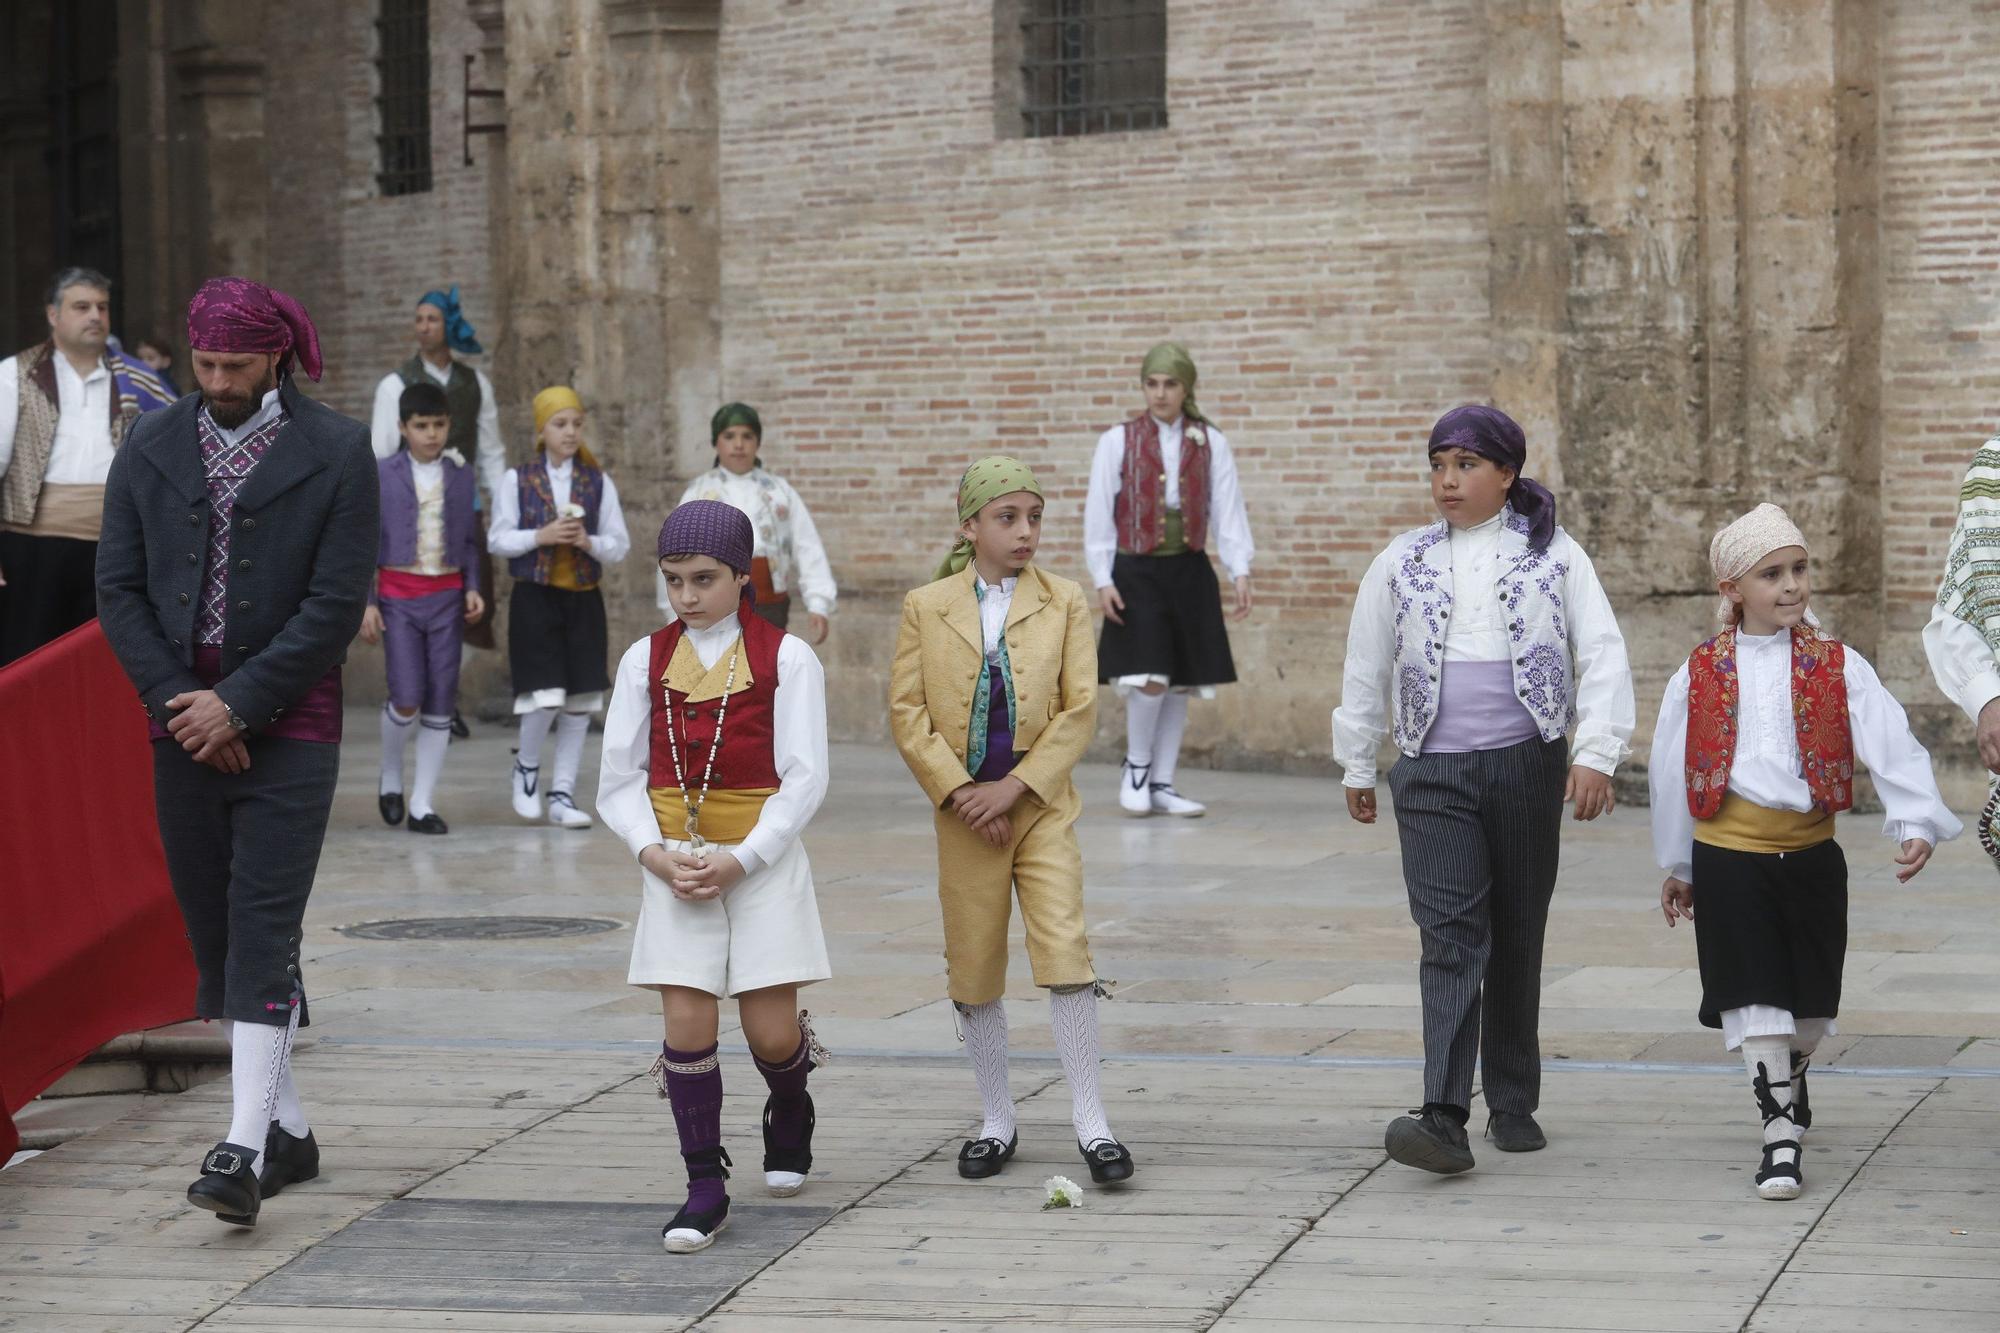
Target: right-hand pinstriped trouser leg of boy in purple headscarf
<point>1523,814</point>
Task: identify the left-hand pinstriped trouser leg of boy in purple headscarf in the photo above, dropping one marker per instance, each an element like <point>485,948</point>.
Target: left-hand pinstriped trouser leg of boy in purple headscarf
<point>1447,872</point>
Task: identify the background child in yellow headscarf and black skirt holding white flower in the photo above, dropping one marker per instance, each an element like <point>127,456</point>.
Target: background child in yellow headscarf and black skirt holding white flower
<point>557,523</point>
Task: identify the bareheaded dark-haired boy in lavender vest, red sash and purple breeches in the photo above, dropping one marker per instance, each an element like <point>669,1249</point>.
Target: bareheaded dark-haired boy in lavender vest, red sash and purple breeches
<point>427,593</point>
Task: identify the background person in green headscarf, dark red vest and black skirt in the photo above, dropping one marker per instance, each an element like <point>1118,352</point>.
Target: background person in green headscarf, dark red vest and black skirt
<point>1163,493</point>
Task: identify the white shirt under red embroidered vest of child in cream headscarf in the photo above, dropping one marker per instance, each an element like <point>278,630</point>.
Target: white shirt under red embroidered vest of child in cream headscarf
<point>1767,768</point>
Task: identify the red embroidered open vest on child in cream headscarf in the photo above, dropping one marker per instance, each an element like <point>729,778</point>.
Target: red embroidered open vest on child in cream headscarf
<point>1819,714</point>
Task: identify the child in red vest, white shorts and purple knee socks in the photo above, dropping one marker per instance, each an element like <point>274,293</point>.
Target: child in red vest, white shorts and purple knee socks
<point>715,762</point>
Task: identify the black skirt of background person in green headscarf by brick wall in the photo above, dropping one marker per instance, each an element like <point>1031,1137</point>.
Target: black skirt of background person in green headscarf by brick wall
<point>1173,623</point>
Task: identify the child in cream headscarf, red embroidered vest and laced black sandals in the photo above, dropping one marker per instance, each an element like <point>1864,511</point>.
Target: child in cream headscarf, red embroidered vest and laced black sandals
<point>1751,762</point>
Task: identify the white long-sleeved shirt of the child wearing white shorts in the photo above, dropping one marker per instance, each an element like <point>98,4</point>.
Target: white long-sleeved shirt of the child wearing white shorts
<point>799,746</point>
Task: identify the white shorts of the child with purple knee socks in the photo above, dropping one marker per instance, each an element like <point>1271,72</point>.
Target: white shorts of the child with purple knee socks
<point>763,932</point>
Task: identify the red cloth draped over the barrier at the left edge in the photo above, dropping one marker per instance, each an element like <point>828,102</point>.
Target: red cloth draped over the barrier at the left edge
<point>91,938</point>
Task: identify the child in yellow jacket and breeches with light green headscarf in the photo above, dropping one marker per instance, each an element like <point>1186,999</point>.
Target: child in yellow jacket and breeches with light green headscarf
<point>993,702</point>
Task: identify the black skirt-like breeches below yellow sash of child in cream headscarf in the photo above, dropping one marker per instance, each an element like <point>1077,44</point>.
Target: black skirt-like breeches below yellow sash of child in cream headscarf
<point>1771,930</point>
